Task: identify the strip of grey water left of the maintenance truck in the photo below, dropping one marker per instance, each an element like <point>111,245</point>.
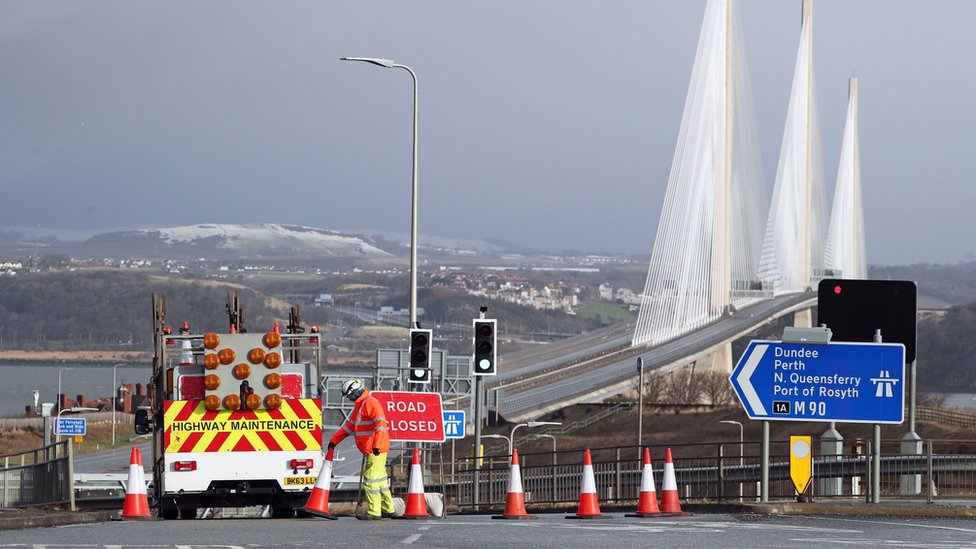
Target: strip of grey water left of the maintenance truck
<point>20,382</point>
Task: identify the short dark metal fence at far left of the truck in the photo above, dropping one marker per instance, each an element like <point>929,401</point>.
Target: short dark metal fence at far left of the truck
<point>37,477</point>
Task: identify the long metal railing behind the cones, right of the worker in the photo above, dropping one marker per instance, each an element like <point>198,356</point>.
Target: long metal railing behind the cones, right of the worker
<point>714,472</point>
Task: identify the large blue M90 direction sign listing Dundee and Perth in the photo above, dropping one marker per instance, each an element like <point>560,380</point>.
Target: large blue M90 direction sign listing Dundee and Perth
<point>843,382</point>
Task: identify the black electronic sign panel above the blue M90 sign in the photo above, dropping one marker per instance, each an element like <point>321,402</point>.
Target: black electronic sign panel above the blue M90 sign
<point>854,309</point>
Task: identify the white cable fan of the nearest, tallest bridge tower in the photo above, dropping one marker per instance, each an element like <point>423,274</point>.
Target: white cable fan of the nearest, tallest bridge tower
<point>685,261</point>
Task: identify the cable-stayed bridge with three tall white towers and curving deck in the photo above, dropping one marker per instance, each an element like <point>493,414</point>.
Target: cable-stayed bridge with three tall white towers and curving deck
<point>724,260</point>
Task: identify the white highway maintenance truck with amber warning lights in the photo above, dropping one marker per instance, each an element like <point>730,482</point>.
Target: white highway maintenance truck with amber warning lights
<point>235,417</point>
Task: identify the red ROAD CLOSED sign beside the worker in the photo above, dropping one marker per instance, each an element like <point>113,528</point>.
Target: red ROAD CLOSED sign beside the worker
<point>413,417</point>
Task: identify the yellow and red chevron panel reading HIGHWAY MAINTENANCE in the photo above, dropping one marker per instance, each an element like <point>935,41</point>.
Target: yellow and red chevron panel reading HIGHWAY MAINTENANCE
<point>190,427</point>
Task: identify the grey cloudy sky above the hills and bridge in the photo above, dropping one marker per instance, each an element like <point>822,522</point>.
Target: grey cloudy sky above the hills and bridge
<point>546,123</point>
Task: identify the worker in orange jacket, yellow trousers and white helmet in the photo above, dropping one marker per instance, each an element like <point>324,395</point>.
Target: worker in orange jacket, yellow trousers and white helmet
<point>368,424</point>
